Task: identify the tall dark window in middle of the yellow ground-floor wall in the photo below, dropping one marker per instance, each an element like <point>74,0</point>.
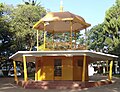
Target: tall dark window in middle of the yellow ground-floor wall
<point>57,67</point>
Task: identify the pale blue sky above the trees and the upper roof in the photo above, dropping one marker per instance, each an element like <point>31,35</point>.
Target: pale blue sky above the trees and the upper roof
<point>93,11</point>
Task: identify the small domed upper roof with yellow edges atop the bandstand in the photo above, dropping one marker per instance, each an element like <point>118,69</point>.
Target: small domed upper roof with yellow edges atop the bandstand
<point>61,22</point>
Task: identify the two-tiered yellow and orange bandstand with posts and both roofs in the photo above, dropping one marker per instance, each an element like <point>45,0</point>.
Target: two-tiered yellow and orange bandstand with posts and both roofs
<point>60,61</point>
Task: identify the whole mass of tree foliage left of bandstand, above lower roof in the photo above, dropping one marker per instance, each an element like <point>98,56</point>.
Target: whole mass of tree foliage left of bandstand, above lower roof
<point>16,23</point>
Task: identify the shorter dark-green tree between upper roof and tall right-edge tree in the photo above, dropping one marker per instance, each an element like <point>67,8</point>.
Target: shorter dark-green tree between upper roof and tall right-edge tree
<point>96,38</point>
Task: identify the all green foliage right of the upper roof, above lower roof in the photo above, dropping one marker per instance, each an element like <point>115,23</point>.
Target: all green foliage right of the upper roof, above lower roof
<point>106,35</point>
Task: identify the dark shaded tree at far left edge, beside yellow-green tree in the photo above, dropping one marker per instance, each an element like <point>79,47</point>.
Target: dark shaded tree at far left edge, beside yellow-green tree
<point>5,38</point>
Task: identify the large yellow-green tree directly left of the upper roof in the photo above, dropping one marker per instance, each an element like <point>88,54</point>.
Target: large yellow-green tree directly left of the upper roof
<point>22,20</point>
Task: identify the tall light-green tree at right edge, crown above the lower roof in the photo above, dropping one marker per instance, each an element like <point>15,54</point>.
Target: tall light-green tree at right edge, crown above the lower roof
<point>112,25</point>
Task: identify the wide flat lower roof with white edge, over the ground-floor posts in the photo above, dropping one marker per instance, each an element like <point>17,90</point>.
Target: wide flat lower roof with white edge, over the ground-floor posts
<point>31,55</point>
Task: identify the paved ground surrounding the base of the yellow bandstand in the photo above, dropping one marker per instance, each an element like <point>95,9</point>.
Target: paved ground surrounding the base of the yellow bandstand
<point>7,85</point>
